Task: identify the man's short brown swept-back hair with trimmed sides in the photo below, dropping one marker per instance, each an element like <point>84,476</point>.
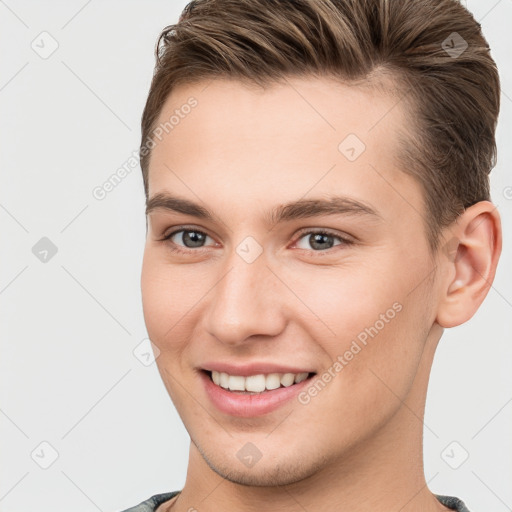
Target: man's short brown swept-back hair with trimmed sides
<point>452,98</point>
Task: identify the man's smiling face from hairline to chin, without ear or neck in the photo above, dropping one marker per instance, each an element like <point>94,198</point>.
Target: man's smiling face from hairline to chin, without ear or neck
<point>263,295</point>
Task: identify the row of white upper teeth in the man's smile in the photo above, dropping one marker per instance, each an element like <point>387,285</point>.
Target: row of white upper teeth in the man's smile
<point>257,383</point>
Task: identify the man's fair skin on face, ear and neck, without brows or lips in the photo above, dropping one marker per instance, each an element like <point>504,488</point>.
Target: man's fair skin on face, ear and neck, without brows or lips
<point>357,445</point>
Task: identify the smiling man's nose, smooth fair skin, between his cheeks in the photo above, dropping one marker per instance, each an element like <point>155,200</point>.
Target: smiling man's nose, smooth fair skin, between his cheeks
<point>245,302</point>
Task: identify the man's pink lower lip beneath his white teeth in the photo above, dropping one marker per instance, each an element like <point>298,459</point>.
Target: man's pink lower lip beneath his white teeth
<point>245,405</point>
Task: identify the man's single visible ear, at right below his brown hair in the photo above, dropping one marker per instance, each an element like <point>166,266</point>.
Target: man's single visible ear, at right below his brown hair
<point>468,259</point>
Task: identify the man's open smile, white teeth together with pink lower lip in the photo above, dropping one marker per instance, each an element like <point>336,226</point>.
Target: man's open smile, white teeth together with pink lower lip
<point>252,395</point>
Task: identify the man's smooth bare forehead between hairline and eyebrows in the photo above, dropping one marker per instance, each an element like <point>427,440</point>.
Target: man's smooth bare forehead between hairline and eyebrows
<point>279,142</point>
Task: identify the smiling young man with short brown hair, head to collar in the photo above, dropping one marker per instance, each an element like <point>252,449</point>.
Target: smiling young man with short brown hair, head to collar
<point>318,209</point>
